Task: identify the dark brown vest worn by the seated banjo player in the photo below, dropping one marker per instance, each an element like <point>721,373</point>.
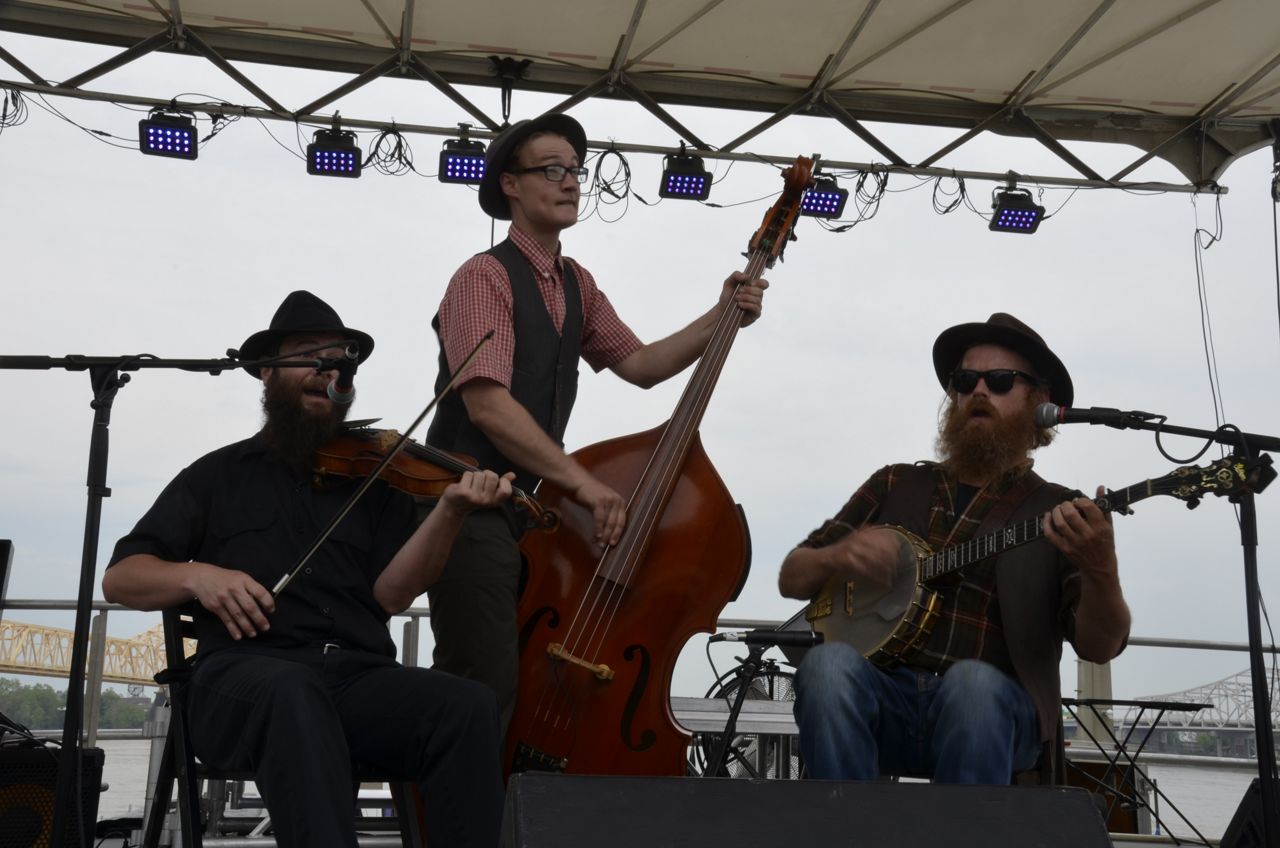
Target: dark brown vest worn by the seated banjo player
<point>1027,589</point>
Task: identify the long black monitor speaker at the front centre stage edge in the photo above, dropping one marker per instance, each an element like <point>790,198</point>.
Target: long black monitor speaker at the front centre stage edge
<point>570,811</point>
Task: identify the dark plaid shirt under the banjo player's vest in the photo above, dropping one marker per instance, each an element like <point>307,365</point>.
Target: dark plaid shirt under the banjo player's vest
<point>970,623</point>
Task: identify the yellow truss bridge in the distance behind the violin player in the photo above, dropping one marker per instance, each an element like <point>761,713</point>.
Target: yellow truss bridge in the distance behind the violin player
<point>30,649</point>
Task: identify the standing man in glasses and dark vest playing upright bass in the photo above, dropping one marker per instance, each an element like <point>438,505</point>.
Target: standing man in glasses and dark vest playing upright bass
<point>515,400</point>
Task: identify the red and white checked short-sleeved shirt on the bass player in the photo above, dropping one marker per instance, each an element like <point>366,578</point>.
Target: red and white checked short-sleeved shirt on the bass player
<point>479,299</point>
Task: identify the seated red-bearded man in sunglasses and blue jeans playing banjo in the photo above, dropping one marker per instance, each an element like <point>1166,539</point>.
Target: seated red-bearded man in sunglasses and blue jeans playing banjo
<point>979,699</point>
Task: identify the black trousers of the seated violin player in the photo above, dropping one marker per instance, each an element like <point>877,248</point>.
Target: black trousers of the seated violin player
<point>299,718</point>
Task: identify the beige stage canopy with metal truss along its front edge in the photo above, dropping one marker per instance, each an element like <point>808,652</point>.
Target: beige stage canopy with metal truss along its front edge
<point>1195,83</point>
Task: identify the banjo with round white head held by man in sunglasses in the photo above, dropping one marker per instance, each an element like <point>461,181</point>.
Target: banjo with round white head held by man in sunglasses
<point>889,624</point>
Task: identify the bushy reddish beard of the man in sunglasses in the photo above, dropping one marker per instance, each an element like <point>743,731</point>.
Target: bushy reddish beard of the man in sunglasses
<point>986,453</point>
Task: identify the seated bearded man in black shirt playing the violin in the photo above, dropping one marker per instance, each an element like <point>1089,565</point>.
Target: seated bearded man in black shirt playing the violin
<point>298,687</point>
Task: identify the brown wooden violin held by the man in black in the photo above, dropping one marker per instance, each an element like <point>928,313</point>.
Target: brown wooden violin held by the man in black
<point>418,469</point>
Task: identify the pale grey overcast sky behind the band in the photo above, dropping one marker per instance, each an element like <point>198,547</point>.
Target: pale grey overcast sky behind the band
<point>109,253</point>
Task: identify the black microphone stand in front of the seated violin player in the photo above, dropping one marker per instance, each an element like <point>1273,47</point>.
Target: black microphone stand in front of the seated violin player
<point>107,380</point>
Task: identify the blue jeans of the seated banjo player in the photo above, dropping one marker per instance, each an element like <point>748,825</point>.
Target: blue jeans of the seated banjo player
<point>973,724</point>
